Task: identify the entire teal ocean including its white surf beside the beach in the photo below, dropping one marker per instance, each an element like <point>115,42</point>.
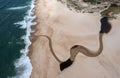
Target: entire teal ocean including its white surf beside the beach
<point>16,19</point>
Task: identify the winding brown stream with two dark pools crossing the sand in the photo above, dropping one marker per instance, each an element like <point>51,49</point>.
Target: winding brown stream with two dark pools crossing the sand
<point>75,49</point>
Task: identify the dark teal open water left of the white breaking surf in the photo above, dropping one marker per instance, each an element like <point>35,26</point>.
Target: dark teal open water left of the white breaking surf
<point>11,35</point>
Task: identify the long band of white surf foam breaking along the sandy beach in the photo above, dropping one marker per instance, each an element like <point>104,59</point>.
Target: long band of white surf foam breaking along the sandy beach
<point>23,64</point>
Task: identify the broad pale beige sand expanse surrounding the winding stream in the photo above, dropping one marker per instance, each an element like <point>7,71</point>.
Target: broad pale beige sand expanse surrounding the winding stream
<point>67,28</point>
